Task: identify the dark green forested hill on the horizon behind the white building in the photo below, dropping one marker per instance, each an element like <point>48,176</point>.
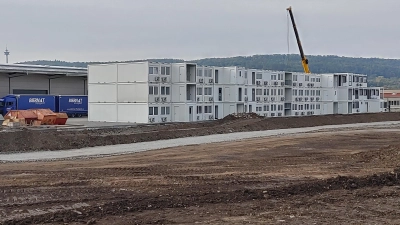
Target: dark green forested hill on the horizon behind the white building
<point>381,72</point>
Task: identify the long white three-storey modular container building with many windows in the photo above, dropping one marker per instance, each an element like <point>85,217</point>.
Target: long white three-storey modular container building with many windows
<point>147,92</point>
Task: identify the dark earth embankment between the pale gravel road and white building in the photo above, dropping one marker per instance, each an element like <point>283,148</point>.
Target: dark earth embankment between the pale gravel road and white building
<point>35,140</point>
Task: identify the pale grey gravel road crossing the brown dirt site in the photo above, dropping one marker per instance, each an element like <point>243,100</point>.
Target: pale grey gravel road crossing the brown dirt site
<point>145,146</point>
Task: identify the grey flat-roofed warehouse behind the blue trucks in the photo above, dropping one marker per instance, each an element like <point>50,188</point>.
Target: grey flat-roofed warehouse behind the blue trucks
<point>34,79</point>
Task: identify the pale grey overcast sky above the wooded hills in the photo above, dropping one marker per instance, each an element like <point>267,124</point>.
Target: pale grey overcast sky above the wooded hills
<point>107,30</point>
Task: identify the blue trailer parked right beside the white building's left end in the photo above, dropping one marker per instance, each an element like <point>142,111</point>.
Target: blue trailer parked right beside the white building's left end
<point>72,104</point>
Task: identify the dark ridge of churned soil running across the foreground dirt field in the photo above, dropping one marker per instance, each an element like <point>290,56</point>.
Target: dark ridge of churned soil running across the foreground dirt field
<point>129,202</point>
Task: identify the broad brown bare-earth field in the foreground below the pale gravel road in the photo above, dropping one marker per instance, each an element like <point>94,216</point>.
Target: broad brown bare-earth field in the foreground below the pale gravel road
<point>342,177</point>
